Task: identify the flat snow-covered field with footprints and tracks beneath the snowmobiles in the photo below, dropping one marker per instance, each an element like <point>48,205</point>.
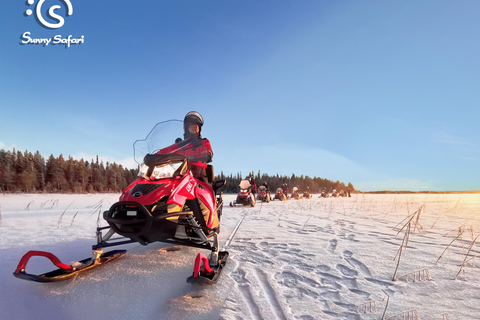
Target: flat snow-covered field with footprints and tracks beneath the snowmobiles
<point>303,259</point>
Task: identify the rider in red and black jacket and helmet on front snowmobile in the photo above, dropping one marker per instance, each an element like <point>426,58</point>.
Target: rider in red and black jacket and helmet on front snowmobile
<point>197,149</point>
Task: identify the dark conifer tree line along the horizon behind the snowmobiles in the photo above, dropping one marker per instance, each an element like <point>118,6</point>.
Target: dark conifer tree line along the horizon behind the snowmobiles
<point>32,173</point>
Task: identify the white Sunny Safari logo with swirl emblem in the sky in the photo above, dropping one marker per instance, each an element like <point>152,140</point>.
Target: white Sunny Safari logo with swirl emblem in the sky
<point>53,20</point>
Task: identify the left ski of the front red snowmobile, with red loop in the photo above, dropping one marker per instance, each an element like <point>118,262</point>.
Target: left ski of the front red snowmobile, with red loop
<point>64,271</point>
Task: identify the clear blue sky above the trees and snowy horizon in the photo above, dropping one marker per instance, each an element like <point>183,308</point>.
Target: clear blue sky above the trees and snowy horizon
<point>382,94</point>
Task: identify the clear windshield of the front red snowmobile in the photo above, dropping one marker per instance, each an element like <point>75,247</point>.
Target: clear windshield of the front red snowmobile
<point>162,135</point>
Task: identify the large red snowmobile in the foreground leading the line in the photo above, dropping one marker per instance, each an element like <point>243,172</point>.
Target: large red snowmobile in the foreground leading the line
<point>165,204</point>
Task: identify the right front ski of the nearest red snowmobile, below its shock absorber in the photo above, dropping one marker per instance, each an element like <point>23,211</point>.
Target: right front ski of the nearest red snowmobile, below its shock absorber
<point>207,274</point>
